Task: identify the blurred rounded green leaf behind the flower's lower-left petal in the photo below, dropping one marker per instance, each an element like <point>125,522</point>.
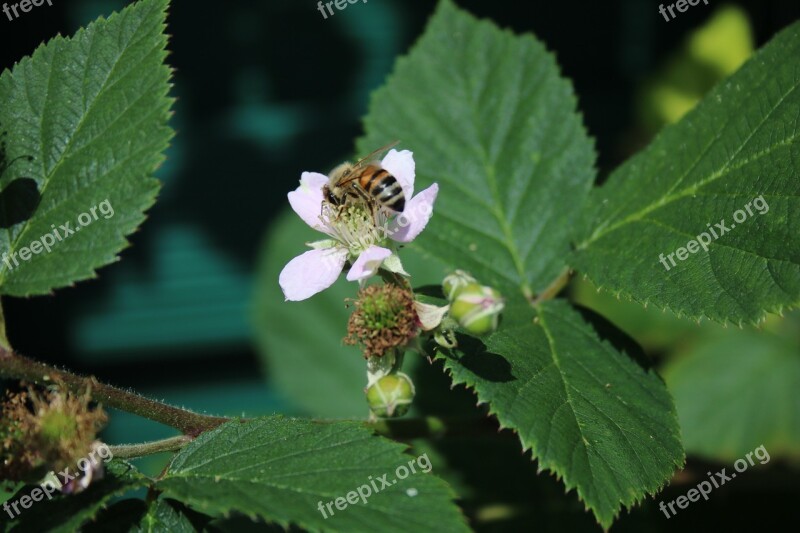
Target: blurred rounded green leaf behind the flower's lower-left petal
<point>301,341</point>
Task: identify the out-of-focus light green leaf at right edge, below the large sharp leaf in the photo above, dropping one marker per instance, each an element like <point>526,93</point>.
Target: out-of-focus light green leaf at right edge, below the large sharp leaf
<point>736,391</point>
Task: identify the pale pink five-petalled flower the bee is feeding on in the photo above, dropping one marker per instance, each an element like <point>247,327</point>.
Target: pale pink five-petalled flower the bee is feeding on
<point>353,233</point>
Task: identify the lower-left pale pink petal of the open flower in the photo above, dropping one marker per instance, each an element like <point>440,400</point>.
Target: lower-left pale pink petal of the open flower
<point>312,272</point>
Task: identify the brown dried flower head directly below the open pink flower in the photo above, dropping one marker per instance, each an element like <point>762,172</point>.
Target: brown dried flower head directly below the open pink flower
<point>384,319</point>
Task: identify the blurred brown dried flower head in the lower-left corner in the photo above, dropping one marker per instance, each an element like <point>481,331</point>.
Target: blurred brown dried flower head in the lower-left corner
<point>46,430</point>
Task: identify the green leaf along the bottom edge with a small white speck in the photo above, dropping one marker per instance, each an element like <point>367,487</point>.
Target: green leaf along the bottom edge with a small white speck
<point>282,470</point>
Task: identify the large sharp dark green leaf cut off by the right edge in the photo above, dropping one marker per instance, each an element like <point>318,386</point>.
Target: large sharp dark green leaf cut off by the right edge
<point>740,143</point>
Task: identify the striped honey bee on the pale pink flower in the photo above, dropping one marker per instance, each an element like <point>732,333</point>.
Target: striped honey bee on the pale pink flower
<point>365,180</point>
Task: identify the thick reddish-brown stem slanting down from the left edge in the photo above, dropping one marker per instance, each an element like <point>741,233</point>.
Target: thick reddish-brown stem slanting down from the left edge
<point>15,366</point>
